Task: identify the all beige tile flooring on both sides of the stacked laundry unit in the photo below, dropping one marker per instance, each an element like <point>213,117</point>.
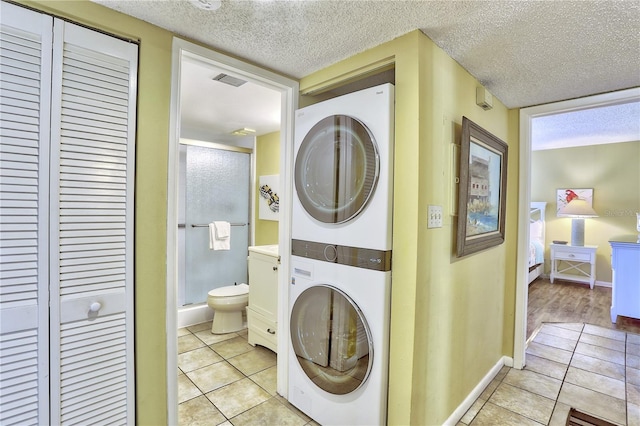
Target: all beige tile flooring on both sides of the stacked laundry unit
<point>222,380</point>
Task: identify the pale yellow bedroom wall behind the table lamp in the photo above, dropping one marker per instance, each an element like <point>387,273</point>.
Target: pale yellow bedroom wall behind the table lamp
<point>613,173</point>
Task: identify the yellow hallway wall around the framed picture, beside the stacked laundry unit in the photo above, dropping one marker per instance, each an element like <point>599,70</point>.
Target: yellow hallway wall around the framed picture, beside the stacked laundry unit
<point>449,325</point>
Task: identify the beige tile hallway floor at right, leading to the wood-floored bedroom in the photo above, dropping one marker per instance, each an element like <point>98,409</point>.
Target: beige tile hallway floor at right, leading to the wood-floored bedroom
<point>593,369</point>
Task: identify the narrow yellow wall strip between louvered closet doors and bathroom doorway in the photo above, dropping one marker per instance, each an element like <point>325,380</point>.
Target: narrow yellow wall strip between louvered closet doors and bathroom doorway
<point>154,85</point>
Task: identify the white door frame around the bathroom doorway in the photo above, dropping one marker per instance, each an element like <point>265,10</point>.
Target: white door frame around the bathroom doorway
<point>289,90</point>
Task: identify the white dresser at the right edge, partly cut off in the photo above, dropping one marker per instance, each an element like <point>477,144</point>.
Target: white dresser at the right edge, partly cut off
<point>625,262</point>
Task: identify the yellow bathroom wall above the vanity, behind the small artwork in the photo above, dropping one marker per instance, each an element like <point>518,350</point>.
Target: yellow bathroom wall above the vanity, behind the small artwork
<point>267,154</point>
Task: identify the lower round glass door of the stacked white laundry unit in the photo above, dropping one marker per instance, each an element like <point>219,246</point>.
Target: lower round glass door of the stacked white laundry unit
<point>331,339</point>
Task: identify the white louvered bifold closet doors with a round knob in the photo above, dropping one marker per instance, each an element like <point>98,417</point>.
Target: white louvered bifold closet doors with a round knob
<point>66,243</point>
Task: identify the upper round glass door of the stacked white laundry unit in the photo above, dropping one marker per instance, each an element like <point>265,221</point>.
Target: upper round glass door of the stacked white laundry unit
<point>336,169</point>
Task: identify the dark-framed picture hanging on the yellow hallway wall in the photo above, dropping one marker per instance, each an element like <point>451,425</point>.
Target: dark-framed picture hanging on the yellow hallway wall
<point>482,192</point>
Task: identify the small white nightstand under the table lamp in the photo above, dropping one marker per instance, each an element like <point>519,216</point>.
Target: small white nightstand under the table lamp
<point>573,263</point>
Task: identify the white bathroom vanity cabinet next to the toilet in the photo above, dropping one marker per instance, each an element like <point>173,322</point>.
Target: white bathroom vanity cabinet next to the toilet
<point>262,311</point>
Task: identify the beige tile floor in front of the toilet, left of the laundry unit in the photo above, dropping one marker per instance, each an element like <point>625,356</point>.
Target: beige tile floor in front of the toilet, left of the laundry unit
<point>222,380</point>
